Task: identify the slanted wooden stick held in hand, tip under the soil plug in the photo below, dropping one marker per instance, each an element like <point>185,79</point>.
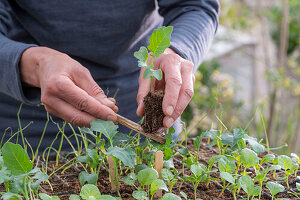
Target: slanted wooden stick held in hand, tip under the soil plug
<point>138,128</point>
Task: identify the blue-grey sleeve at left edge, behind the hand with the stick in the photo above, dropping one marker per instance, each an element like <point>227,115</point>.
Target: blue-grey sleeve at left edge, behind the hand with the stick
<point>10,54</point>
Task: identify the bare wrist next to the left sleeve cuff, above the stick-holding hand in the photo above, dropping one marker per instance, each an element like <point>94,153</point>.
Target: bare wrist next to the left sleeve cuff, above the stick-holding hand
<point>30,64</point>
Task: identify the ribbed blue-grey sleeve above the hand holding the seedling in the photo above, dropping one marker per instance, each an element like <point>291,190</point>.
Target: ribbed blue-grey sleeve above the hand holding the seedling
<point>195,23</point>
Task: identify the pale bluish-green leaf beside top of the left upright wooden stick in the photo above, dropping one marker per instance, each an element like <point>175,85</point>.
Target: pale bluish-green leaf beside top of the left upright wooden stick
<point>126,155</point>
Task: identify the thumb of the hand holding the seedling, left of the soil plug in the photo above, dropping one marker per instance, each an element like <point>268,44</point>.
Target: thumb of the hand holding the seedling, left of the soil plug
<point>144,88</point>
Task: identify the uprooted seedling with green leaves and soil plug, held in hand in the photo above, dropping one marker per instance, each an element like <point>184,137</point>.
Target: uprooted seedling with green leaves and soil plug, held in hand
<point>158,42</point>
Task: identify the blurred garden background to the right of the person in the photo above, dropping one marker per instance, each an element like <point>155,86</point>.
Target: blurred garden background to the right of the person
<point>251,75</point>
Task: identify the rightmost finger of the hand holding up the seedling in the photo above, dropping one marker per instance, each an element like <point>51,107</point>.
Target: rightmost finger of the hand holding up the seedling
<point>185,95</point>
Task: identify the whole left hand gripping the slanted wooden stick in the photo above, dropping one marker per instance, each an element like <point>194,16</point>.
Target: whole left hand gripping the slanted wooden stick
<point>67,88</point>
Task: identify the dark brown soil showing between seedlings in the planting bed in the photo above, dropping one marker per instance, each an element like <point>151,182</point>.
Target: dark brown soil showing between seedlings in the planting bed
<point>64,183</point>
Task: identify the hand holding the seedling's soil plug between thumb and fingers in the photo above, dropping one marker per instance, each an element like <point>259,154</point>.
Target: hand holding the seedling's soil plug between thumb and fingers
<point>177,82</point>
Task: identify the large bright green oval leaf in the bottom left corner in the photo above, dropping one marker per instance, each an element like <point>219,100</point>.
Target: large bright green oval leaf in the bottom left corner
<point>16,159</point>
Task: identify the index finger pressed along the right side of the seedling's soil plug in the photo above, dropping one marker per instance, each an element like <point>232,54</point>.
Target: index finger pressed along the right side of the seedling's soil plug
<point>173,81</point>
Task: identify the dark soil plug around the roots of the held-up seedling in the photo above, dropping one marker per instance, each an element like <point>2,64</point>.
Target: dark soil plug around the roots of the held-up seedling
<point>154,114</point>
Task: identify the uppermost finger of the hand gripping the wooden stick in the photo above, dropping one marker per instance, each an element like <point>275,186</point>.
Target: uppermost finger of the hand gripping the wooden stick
<point>83,79</point>
